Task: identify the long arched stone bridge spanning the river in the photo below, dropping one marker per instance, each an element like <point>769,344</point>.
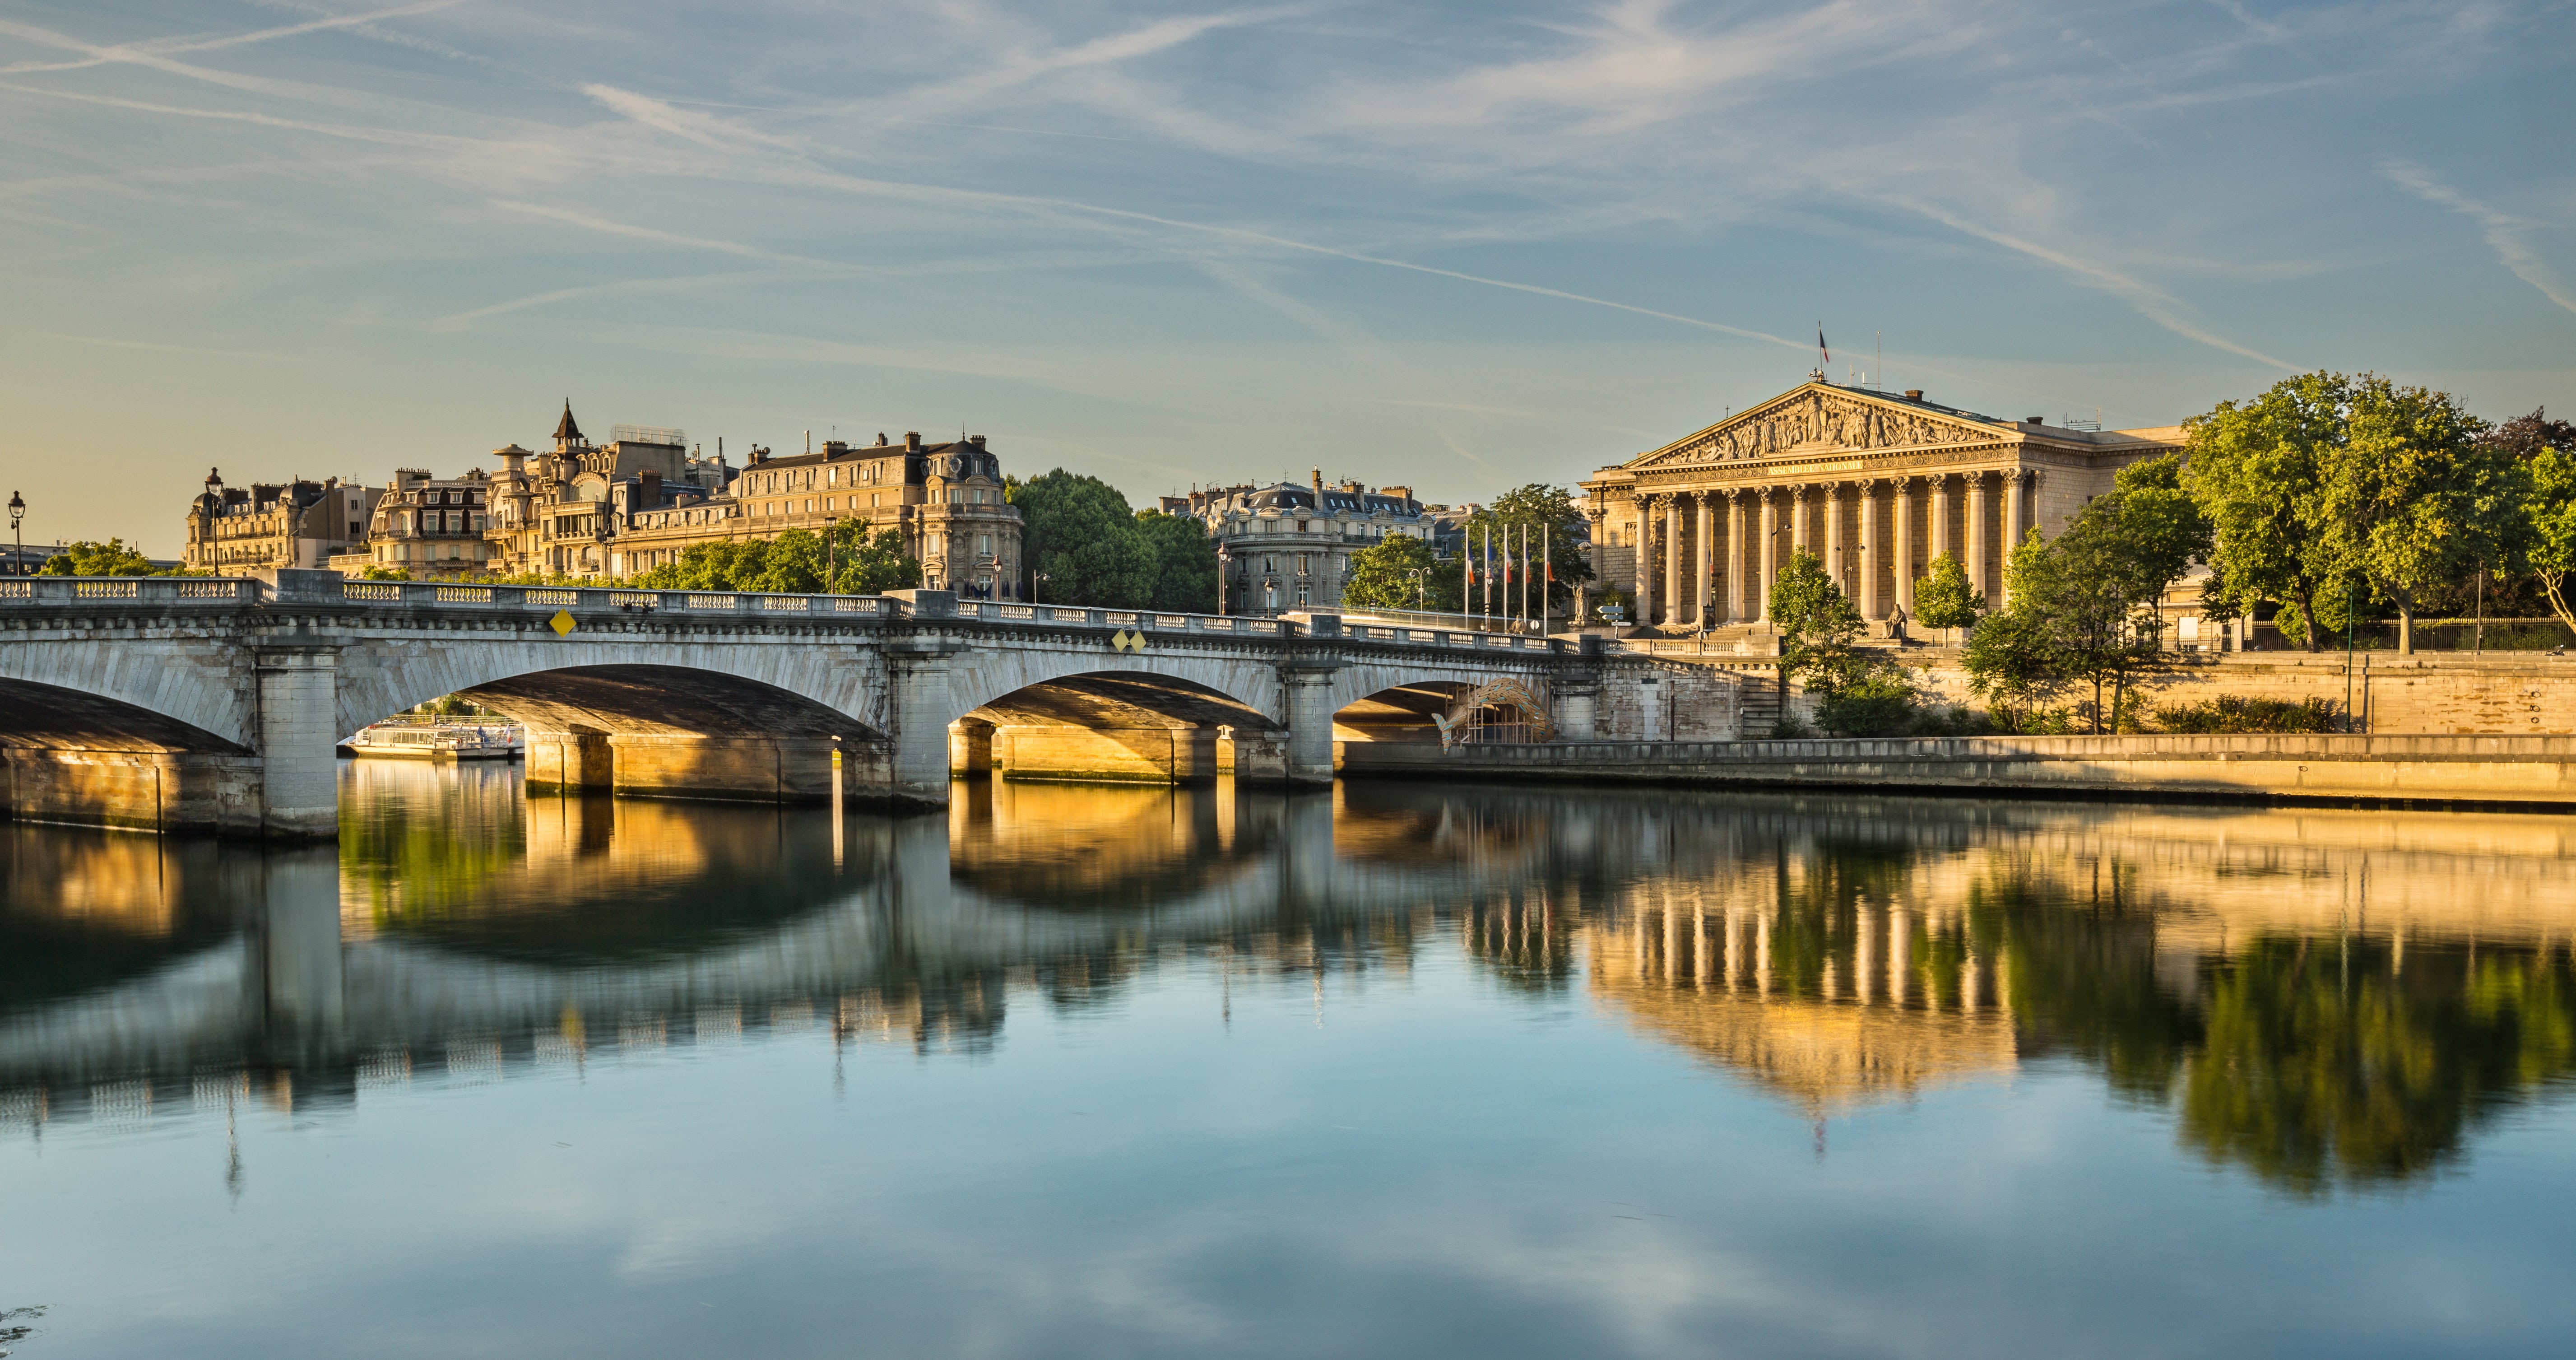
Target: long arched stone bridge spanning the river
<point>218,704</point>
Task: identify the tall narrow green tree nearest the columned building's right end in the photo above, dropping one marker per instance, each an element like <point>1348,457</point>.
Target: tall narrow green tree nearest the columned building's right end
<point>2258,475</point>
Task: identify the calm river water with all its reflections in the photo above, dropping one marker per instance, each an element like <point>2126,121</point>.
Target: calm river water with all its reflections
<point>1403,1070</point>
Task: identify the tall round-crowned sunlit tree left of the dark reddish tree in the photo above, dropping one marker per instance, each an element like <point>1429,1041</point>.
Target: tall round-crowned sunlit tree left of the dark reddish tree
<point>2412,498</point>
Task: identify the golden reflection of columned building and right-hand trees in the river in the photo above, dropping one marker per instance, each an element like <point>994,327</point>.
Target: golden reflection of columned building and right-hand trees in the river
<point>2320,998</point>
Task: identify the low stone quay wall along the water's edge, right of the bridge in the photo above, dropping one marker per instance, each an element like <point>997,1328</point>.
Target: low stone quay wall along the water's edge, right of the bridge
<point>2518,771</point>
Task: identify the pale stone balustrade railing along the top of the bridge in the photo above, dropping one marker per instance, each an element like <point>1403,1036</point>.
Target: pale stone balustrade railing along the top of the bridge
<point>334,591</point>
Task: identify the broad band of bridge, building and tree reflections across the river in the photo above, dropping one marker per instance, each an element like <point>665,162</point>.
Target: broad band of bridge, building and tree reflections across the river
<point>2322,998</point>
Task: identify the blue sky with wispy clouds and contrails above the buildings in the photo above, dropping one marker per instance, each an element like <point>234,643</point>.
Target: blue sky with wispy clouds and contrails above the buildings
<point>1181,243</point>
